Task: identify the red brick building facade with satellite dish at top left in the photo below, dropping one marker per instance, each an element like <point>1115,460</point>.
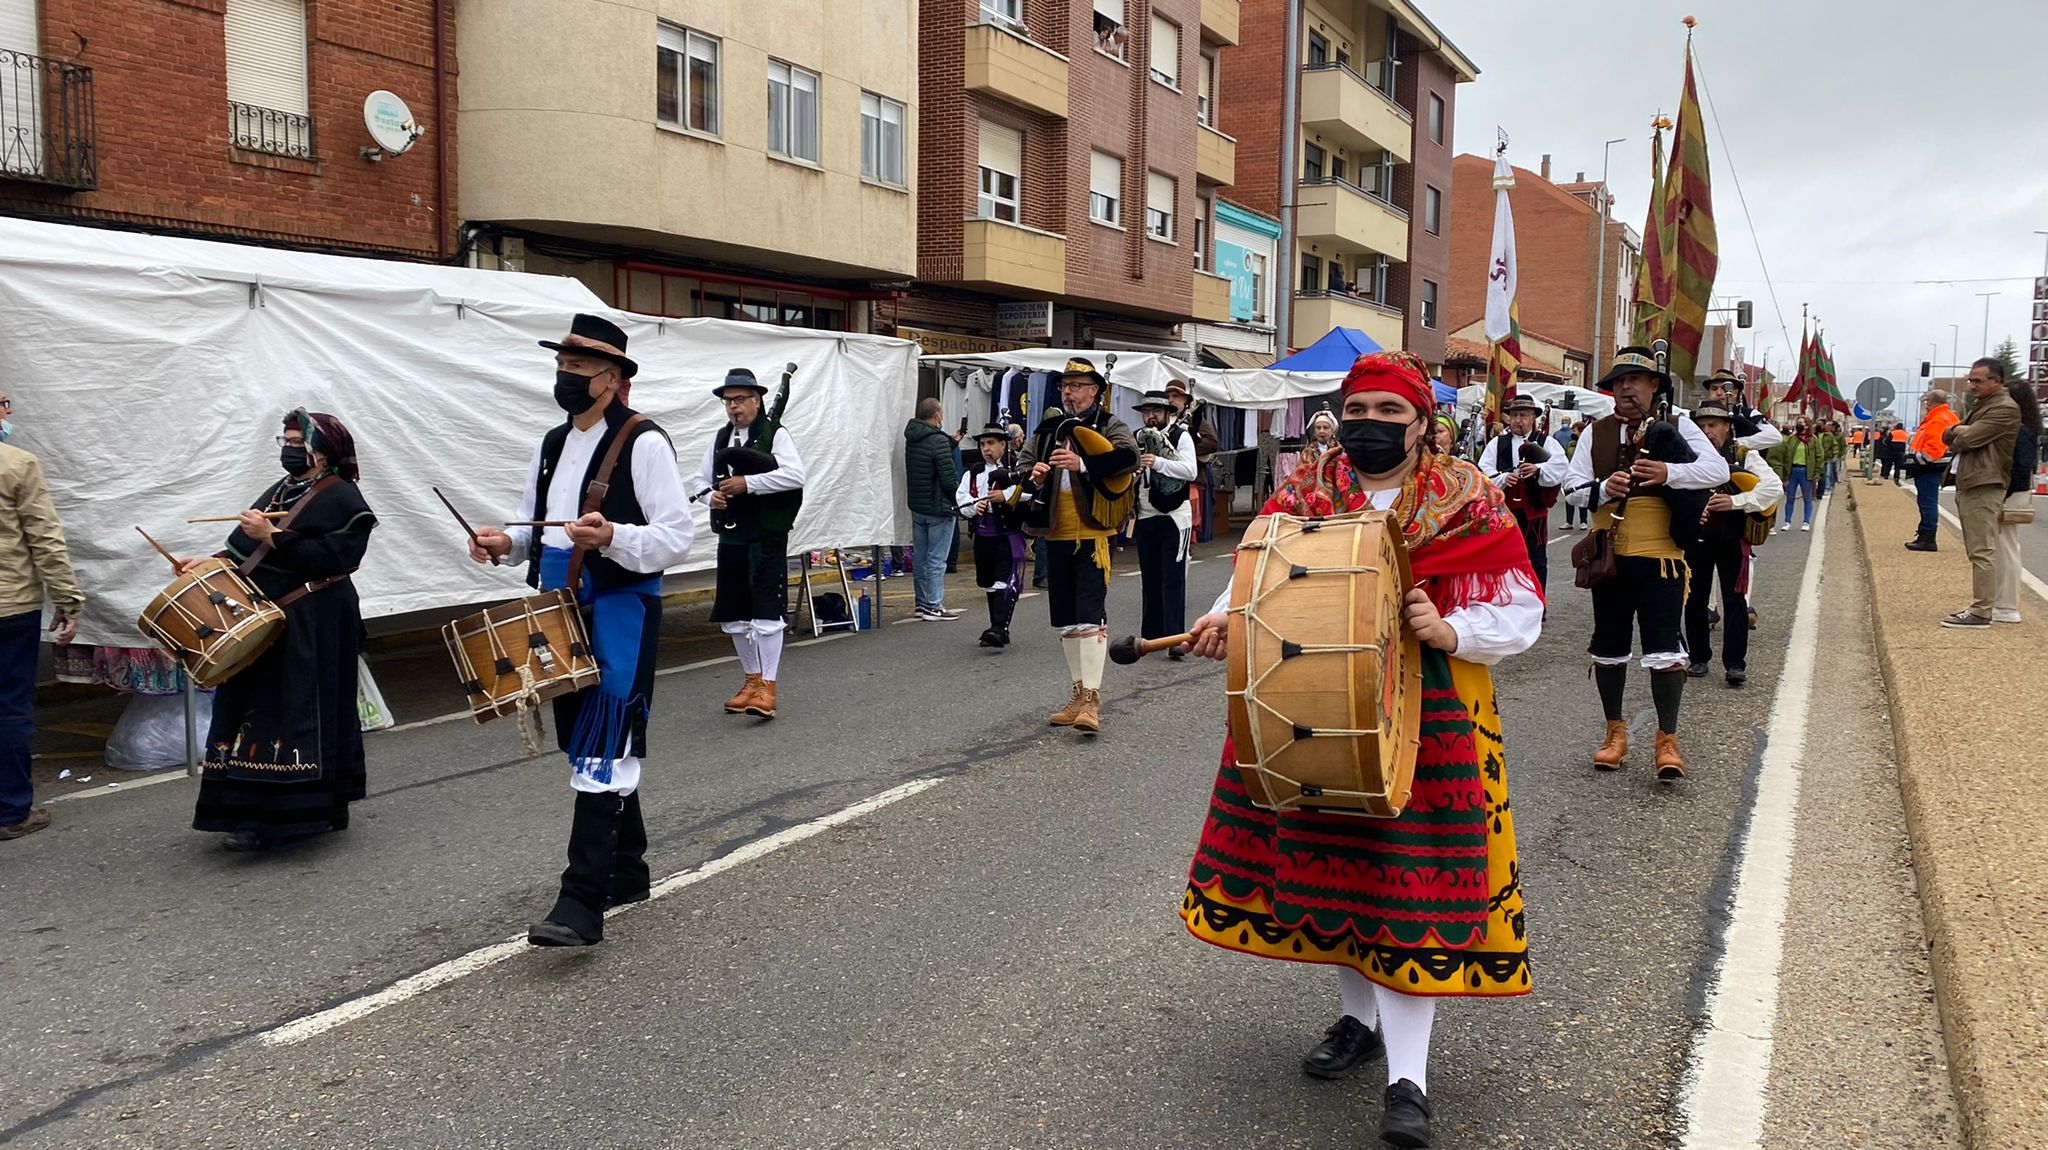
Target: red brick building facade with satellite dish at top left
<point>153,128</point>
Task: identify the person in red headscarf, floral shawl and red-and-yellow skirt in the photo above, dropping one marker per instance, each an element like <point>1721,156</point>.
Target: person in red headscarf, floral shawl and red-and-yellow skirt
<point>1428,903</point>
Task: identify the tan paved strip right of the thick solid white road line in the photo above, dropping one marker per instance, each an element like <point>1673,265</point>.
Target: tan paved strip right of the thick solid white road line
<point>1975,801</point>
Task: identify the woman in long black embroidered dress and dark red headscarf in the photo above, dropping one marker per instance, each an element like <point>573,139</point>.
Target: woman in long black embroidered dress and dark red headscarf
<point>286,748</point>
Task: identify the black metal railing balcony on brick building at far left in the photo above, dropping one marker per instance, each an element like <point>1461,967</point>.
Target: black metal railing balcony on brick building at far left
<point>46,122</point>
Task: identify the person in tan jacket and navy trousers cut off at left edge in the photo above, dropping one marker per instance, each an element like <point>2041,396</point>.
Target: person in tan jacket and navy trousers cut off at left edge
<point>34,566</point>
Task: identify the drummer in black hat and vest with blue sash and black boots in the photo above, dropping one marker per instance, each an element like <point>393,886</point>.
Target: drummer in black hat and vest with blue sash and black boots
<point>640,531</point>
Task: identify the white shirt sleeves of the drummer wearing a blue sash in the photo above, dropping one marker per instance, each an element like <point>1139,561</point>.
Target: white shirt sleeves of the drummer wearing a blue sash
<point>663,543</point>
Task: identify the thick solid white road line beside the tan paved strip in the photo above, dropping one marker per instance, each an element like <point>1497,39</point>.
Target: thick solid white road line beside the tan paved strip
<point>1730,1069</point>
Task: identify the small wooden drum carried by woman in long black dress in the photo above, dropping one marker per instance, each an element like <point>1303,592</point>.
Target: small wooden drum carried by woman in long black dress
<point>212,621</point>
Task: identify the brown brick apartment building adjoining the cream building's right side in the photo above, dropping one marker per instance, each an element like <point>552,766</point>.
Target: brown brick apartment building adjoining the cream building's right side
<point>1068,175</point>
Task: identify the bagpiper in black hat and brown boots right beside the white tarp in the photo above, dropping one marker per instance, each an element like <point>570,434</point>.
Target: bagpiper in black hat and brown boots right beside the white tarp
<point>753,515</point>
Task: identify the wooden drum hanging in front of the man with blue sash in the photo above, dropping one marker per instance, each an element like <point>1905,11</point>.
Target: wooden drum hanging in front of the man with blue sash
<point>521,654</point>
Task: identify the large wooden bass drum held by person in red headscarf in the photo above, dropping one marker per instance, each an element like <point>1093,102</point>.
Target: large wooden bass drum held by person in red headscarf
<point>1324,678</point>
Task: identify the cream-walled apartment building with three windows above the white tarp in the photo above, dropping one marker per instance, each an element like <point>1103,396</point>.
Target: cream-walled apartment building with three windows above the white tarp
<point>724,159</point>
